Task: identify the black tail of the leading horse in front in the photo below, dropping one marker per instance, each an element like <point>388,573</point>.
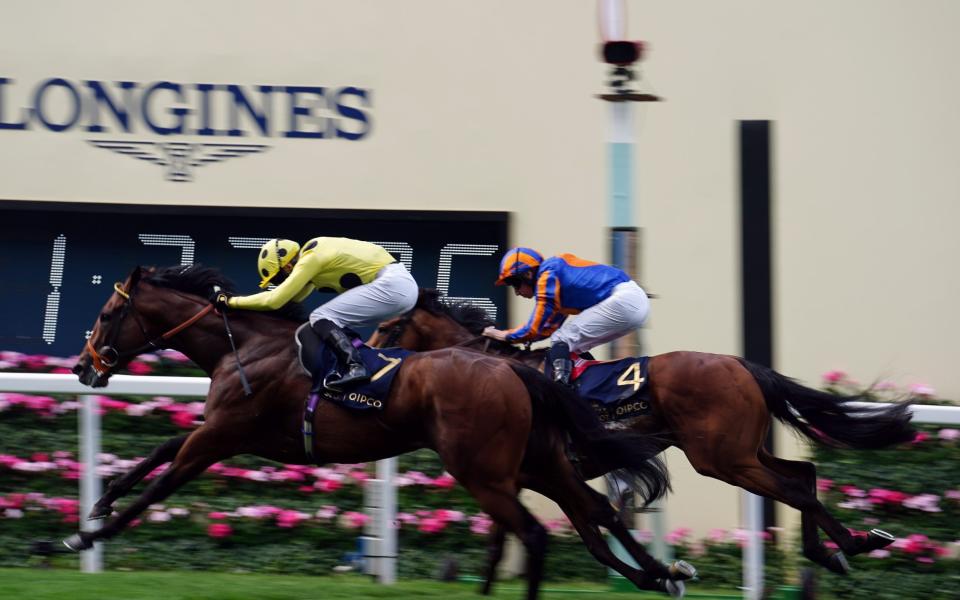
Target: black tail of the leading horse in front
<point>610,450</point>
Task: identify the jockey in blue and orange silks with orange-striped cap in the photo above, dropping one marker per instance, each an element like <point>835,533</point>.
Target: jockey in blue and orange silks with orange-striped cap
<point>609,303</point>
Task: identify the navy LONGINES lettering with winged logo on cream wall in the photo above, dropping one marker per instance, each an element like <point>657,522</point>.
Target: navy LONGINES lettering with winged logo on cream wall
<point>221,112</point>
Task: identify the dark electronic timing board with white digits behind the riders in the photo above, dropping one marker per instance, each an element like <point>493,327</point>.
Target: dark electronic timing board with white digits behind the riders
<point>58,261</point>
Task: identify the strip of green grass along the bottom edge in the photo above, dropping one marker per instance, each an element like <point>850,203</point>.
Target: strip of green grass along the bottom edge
<point>56,584</point>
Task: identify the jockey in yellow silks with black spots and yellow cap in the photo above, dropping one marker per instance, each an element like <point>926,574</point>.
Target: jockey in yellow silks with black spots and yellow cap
<point>371,284</point>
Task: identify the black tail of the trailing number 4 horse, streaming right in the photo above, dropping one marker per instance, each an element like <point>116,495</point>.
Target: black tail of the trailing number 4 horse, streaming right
<point>832,419</point>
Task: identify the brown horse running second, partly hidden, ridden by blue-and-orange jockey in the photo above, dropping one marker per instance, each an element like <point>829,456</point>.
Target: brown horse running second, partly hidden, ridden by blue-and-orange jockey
<point>716,409</point>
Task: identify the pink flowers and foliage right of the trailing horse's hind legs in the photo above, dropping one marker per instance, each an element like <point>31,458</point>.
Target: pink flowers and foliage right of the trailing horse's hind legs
<point>913,492</point>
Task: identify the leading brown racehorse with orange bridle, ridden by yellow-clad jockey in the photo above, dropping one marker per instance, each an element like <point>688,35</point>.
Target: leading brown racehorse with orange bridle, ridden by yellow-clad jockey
<point>488,420</point>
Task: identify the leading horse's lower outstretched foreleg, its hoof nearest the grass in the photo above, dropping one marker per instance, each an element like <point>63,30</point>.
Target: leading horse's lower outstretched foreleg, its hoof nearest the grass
<point>202,448</point>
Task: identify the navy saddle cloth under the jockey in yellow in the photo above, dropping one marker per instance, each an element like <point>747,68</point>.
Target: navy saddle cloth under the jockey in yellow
<point>320,362</point>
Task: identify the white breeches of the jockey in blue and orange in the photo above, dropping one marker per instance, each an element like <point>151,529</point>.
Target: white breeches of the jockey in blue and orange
<point>622,312</point>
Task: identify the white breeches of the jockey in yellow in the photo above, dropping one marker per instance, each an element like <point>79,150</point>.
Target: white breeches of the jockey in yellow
<point>391,293</point>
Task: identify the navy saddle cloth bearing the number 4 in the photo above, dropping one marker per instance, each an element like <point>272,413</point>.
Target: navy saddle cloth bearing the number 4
<point>616,389</point>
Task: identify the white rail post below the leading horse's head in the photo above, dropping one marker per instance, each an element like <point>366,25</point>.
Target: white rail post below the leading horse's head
<point>91,561</point>
